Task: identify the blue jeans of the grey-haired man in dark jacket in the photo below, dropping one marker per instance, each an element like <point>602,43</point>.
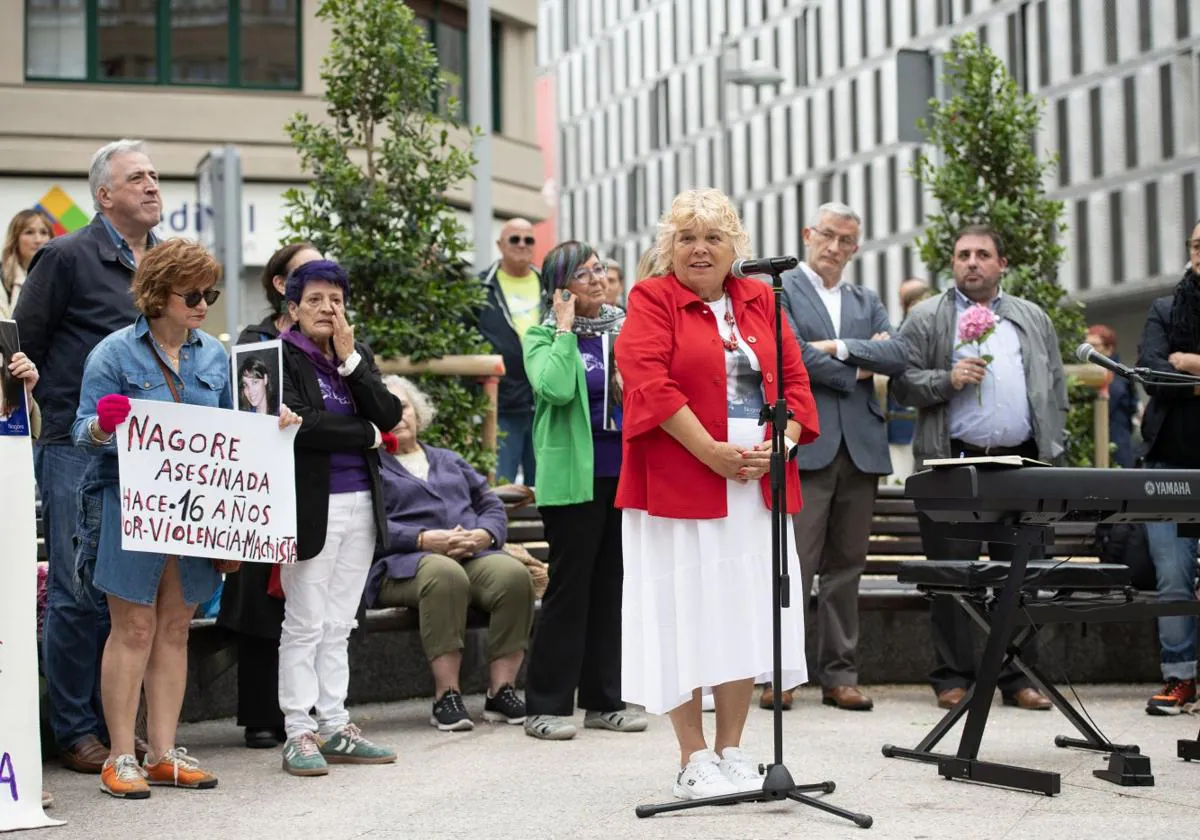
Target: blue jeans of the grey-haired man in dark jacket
<point>76,628</point>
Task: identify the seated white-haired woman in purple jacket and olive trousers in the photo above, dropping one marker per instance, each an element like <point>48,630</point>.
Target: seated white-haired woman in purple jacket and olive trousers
<point>443,554</point>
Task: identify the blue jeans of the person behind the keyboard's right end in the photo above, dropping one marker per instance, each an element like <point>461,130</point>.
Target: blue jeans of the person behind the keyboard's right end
<point>1175,567</point>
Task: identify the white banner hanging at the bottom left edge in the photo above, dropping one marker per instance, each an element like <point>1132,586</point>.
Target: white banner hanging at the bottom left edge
<point>21,749</point>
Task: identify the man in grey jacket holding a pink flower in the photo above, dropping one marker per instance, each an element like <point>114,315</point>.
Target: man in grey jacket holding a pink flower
<point>987,379</point>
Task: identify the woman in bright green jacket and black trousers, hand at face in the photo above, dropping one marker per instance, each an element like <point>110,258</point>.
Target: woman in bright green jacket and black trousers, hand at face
<point>578,641</point>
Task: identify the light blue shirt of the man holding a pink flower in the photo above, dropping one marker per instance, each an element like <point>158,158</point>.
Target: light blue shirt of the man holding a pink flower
<point>995,413</point>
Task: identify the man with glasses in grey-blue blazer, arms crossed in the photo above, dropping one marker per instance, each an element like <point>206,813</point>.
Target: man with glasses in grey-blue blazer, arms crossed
<point>845,335</point>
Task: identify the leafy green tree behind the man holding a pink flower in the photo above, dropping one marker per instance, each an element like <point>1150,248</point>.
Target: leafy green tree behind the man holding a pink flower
<point>988,171</point>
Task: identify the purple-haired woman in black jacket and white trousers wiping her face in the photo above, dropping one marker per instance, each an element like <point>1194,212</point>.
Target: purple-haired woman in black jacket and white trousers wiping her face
<point>333,383</point>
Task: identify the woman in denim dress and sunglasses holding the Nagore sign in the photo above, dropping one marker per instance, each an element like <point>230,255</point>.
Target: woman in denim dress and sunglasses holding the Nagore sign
<point>164,356</point>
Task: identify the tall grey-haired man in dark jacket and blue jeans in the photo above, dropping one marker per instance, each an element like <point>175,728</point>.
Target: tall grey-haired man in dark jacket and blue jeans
<point>77,295</point>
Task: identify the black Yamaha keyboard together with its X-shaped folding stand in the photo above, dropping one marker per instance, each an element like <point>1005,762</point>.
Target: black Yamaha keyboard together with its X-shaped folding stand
<point>1018,506</point>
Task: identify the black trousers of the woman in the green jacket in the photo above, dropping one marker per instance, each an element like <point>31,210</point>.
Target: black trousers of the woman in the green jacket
<point>577,644</point>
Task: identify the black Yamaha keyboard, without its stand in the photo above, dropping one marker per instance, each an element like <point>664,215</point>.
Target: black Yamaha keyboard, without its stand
<point>1048,495</point>
